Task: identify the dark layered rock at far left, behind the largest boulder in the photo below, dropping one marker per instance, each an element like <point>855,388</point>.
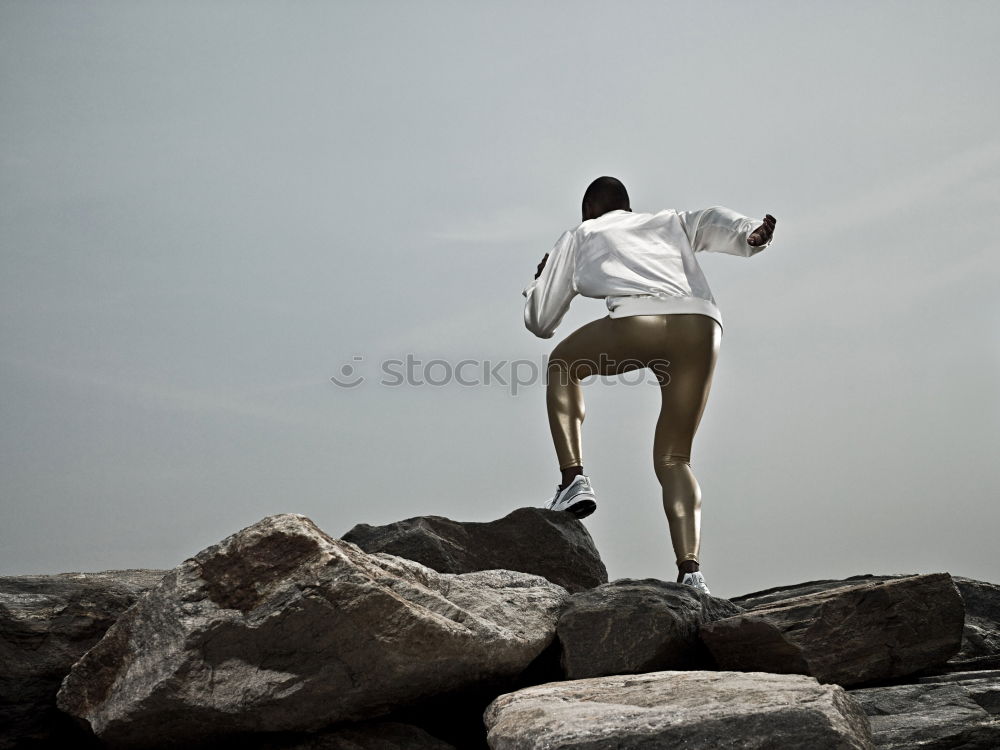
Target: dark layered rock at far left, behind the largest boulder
<point>47,622</point>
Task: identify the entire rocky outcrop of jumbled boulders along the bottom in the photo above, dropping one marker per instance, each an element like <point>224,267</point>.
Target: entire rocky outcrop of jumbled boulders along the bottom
<point>283,638</point>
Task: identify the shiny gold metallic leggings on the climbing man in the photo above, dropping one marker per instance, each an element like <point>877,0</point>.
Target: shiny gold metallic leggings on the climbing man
<point>681,351</point>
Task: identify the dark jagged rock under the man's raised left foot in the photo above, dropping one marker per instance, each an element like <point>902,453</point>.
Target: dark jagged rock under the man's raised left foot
<point>549,543</point>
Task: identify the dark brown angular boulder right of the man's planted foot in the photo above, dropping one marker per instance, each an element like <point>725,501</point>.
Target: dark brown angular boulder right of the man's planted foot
<point>848,635</point>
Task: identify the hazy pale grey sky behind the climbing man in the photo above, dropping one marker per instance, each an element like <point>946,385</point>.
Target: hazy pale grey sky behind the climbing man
<point>207,209</point>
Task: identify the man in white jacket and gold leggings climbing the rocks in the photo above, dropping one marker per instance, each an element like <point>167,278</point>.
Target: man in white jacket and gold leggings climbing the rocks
<point>662,315</point>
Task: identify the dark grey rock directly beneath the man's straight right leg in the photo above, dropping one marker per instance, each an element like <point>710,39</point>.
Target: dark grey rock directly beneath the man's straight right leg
<point>630,626</point>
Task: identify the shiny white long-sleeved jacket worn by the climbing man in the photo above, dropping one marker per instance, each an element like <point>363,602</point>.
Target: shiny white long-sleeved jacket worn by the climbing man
<point>643,264</point>
